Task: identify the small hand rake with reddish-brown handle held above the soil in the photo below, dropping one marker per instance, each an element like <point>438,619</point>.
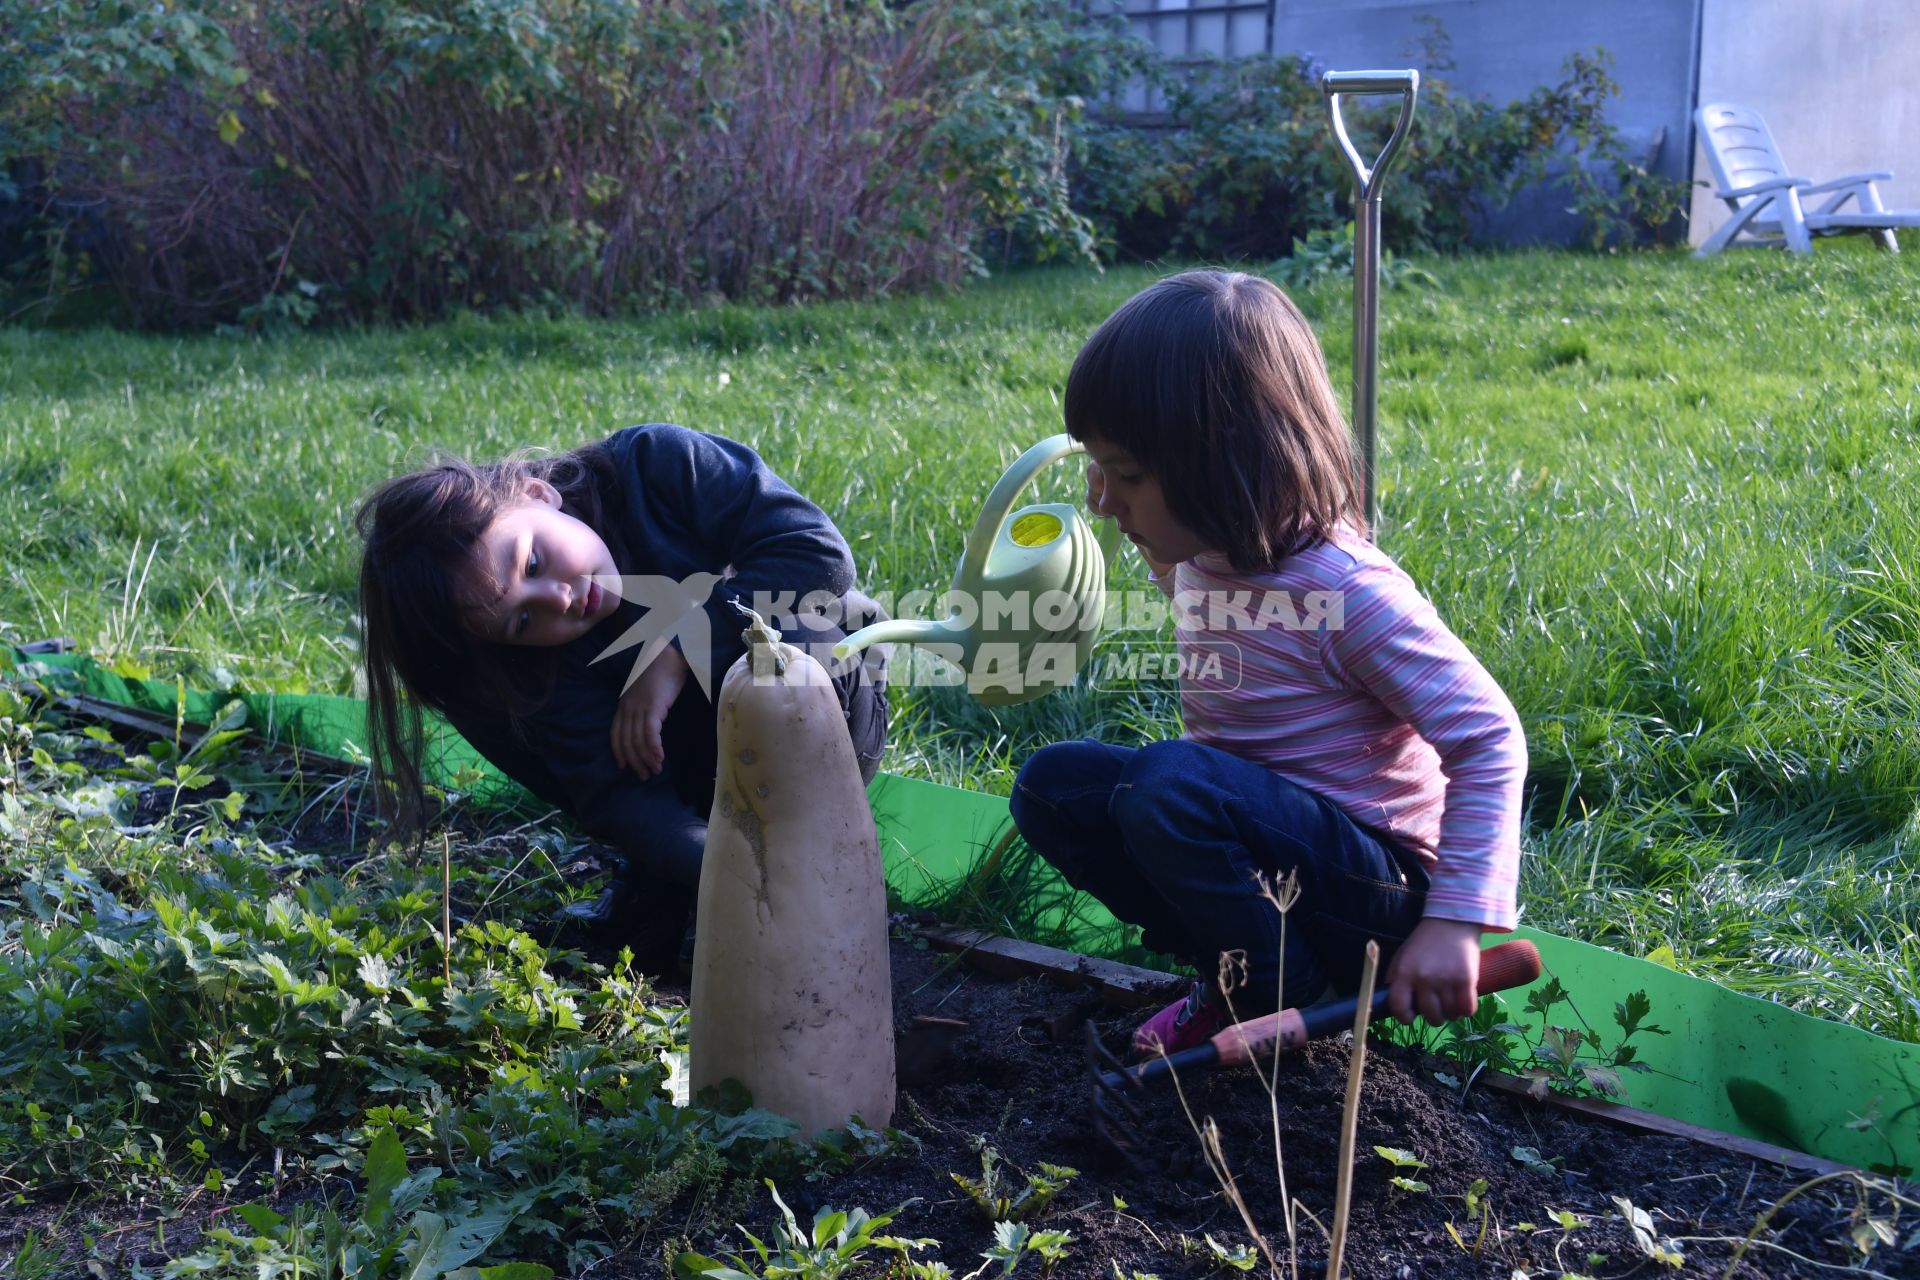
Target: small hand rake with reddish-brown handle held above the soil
<point>1118,1089</point>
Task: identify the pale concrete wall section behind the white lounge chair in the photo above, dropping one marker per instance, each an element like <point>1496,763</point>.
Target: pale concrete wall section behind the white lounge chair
<point>1835,82</point>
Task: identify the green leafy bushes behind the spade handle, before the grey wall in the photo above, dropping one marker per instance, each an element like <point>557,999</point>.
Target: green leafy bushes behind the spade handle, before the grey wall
<point>1247,164</point>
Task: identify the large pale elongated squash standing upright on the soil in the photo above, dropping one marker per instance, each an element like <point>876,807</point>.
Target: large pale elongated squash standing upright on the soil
<point>792,993</point>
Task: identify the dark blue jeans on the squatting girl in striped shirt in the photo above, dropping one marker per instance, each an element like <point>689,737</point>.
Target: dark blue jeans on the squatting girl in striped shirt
<point>1172,838</point>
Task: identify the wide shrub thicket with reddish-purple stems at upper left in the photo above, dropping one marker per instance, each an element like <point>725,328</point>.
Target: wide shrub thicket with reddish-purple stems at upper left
<point>404,158</point>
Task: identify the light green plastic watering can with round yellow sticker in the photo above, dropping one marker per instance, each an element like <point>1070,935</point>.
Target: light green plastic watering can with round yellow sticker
<point>1028,596</point>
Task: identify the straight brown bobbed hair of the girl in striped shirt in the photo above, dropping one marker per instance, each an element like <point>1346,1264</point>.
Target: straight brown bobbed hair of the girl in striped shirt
<point>1216,385</point>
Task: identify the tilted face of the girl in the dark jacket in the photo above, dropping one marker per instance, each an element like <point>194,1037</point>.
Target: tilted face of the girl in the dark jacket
<point>552,577</point>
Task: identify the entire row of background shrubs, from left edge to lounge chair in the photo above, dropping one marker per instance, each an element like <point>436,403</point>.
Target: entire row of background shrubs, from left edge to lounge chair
<point>218,160</point>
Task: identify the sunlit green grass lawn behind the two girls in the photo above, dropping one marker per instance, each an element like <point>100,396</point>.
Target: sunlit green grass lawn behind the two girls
<point>1669,504</point>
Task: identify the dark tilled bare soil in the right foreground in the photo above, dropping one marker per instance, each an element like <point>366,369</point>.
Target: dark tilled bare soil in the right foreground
<point>1017,1079</point>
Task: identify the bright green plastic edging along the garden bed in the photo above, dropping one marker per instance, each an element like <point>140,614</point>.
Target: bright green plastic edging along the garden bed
<point>1731,1062</point>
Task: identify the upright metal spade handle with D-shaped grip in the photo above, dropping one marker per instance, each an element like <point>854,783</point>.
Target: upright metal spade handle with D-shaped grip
<point>1368,181</point>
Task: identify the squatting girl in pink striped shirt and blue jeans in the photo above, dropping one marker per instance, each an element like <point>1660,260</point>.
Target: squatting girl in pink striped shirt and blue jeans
<point>1337,730</point>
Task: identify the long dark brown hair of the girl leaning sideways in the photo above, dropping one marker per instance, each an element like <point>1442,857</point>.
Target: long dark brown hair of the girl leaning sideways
<point>421,536</point>
